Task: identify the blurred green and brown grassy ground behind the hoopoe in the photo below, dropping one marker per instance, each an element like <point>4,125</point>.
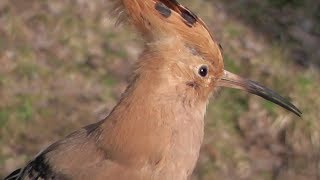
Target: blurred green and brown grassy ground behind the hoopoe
<point>64,64</point>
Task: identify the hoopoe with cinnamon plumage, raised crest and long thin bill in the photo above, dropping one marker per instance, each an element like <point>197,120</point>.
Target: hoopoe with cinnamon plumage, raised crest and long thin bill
<point>156,129</point>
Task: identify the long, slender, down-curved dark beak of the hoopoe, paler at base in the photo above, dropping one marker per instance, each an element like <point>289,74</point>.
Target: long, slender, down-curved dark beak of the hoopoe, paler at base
<point>234,81</point>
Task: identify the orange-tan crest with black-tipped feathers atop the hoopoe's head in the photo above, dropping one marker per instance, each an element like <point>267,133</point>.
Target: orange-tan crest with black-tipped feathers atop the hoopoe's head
<point>160,19</point>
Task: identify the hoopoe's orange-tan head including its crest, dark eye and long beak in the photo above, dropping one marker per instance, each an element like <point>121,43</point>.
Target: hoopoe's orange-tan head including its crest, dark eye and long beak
<point>182,47</point>
